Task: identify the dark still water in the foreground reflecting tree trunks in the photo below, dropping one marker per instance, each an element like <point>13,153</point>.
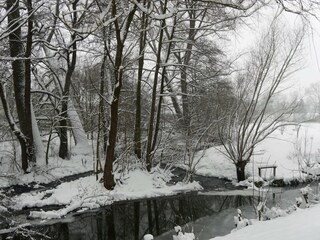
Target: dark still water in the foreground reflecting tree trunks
<point>132,220</point>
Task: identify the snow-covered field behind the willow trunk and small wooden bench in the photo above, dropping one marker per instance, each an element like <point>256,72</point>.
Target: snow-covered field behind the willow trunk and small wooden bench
<point>289,148</point>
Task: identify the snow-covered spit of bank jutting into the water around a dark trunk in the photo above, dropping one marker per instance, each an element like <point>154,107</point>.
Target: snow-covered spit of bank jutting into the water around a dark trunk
<point>87,193</point>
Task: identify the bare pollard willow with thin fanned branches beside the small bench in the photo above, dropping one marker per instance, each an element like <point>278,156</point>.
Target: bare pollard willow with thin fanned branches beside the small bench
<point>251,120</point>
